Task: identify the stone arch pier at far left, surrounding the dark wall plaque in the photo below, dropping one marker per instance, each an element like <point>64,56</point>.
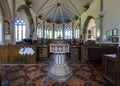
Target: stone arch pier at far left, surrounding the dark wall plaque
<point>6,16</point>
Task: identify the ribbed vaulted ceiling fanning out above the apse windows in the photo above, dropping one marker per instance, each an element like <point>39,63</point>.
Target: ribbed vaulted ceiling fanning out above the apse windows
<point>59,11</point>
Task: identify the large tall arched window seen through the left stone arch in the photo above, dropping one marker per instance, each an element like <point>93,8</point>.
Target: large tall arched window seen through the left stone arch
<point>20,29</point>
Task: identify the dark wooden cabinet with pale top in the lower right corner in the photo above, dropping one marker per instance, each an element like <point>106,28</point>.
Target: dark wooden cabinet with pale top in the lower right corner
<point>111,69</point>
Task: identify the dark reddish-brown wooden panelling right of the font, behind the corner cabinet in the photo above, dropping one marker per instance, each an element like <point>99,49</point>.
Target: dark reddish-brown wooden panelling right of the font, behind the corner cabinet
<point>94,53</point>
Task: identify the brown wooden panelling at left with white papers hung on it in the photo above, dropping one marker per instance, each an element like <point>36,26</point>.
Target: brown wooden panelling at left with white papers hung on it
<point>10,54</point>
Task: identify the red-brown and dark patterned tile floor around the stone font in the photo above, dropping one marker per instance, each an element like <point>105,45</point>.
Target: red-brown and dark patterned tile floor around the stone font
<point>37,75</point>
